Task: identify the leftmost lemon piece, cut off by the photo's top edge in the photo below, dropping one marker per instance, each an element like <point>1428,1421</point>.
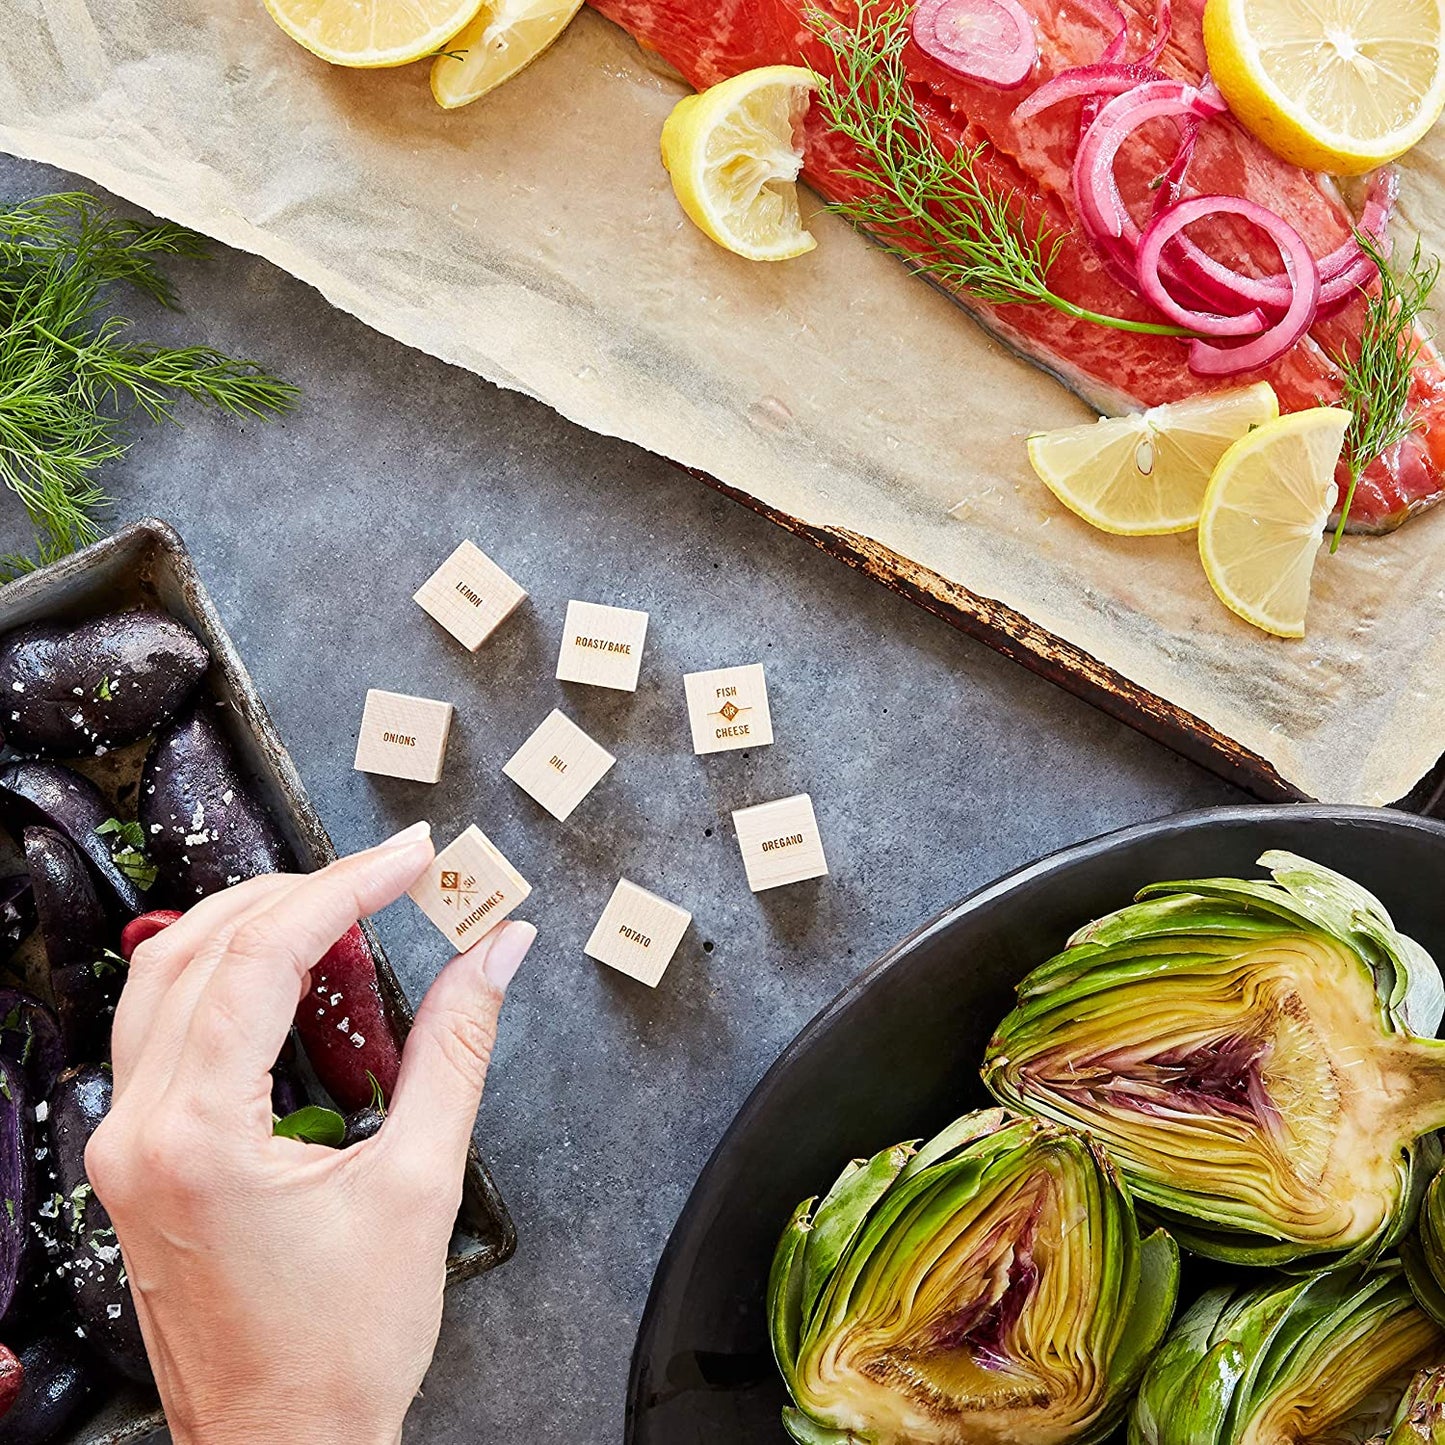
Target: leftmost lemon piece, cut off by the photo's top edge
<point>369,34</point>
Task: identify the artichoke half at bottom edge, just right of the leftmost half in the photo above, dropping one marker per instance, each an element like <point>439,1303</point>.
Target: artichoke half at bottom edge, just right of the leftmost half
<point>1323,1359</point>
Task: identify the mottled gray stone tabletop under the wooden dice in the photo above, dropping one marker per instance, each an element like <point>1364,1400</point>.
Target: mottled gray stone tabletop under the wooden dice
<point>934,765</point>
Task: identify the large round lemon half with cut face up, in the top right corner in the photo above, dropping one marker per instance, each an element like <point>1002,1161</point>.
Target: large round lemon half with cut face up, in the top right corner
<point>1339,86</point>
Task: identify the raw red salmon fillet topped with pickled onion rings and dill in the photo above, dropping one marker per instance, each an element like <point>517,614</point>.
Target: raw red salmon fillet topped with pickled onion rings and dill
<point>710,41</point>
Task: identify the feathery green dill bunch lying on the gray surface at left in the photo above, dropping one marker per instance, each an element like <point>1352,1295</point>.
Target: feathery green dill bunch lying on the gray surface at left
<point>70,372</point>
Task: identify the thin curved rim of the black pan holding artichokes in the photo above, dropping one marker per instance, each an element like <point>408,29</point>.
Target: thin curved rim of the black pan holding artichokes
<point>1056,862</point>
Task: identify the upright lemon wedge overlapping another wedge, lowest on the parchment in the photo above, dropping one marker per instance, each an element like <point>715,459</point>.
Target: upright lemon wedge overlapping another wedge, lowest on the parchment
<point>1265,517</point>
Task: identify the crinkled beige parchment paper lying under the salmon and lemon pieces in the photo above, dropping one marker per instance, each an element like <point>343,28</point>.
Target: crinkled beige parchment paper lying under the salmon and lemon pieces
<point>534,239</point>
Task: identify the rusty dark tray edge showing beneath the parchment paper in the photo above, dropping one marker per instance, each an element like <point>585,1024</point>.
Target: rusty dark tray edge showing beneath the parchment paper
<point>1014,635</point>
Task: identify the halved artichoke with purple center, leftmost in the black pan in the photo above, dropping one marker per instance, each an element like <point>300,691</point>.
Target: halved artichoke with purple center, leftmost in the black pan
<point>989,1287</point>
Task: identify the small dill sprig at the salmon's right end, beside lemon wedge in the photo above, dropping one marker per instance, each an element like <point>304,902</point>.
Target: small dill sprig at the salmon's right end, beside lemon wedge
<point>1376,387</point>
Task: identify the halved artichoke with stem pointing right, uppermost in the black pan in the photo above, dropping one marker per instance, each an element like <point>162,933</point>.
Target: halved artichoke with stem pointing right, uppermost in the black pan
<point>1248,1054</point>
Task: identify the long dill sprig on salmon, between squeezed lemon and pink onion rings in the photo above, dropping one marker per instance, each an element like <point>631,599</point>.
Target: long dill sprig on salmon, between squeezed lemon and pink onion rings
<point>920,203</point>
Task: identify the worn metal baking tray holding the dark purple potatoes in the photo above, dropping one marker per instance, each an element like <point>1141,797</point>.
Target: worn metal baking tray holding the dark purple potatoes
<point>148,564</point>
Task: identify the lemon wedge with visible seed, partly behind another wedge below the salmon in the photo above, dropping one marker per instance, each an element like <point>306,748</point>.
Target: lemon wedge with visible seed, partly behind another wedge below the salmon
<point>1145,475</point>
